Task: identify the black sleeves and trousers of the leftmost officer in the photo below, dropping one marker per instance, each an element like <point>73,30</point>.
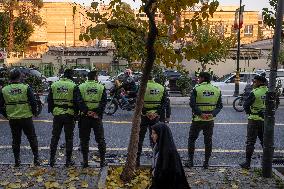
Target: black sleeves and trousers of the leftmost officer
<point>24,124</point>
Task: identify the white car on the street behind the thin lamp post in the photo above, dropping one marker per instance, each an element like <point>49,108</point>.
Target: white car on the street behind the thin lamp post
<point>227,82</point>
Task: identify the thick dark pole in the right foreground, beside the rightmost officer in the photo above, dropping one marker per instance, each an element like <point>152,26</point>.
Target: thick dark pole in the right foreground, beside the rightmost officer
<point>269,120</point>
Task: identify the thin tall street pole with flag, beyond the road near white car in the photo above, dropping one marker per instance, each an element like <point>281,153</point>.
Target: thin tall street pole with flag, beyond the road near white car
<point>237,80</point>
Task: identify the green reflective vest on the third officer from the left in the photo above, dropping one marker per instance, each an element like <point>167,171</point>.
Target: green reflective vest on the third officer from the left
<point>91,92</point>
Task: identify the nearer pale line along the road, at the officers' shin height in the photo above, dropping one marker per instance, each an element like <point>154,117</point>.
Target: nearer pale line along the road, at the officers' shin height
<point>147,149</point>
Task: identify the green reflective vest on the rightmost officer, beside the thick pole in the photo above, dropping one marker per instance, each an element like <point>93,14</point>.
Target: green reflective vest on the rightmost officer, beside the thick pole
<point>258,107</point>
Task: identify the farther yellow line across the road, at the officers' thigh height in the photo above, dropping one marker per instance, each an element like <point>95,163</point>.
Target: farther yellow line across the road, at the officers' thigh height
<point>129,122</point>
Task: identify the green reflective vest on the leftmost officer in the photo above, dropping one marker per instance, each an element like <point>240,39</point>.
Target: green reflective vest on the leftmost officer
<point>16,101</point>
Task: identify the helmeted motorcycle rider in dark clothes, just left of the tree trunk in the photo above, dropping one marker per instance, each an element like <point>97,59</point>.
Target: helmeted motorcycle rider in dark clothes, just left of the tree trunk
<point>128,87</point>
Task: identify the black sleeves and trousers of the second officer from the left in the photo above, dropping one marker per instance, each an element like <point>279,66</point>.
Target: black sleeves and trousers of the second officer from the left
<point>65,121</point>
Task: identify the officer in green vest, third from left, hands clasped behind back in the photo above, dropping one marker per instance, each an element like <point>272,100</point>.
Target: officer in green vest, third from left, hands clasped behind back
<point>92,102</point>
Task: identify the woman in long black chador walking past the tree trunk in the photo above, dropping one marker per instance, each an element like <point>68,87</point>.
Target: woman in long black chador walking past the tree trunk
<point>167,170</point>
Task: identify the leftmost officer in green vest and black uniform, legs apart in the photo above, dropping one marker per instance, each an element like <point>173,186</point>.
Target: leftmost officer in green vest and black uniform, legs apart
<point>18,104</point>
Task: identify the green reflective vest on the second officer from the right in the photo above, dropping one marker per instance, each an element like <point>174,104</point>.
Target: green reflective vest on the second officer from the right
<point>207,97</point>
